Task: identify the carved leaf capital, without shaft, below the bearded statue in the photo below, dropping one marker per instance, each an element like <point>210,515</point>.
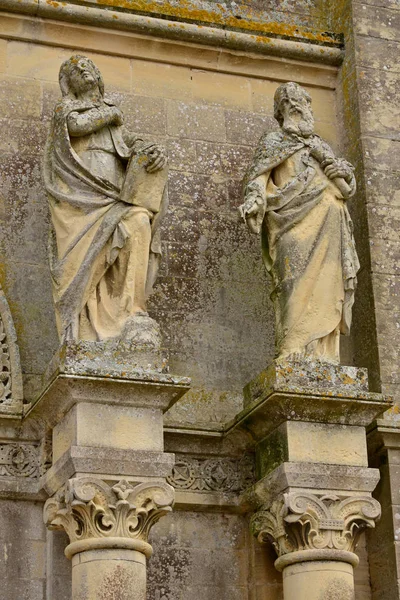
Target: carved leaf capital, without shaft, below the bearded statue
<point>306,521</point>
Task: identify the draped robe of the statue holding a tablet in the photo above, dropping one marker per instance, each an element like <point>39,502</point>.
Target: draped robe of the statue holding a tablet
<point>104,253</point>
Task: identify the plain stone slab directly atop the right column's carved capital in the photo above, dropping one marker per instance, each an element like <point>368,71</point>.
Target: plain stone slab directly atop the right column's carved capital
<point>291,476</point>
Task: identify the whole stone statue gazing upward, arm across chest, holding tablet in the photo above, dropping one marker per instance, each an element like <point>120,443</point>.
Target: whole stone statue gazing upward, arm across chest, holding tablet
<point>106,190</point>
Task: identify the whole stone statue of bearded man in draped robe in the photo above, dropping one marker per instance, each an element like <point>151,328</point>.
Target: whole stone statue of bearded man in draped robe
<point>295,194</point>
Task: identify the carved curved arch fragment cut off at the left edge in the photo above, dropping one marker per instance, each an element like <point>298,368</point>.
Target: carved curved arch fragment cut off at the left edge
<point>11,390</point>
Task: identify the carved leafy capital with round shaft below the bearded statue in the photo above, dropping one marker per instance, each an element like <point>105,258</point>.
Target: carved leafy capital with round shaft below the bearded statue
<point>315,536</point>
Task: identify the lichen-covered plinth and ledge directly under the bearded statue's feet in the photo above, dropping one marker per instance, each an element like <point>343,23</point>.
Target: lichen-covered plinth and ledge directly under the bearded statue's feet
<point>329,394</point>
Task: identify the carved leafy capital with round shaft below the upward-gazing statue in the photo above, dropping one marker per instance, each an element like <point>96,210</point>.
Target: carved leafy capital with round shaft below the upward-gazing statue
<point>108,529</point>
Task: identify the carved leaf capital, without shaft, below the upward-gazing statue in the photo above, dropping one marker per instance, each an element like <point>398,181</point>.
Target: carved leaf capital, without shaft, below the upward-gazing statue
<point>94,514</point>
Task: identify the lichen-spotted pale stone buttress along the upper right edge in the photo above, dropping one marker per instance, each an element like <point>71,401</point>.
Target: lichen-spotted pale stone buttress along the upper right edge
<point>377,39</point>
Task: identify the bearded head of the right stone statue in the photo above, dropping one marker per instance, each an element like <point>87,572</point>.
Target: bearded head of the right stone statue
<point>292,109</point>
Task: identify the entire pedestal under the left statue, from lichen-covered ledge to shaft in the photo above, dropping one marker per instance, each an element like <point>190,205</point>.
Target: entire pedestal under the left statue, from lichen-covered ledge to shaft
<point>107,480</point>
